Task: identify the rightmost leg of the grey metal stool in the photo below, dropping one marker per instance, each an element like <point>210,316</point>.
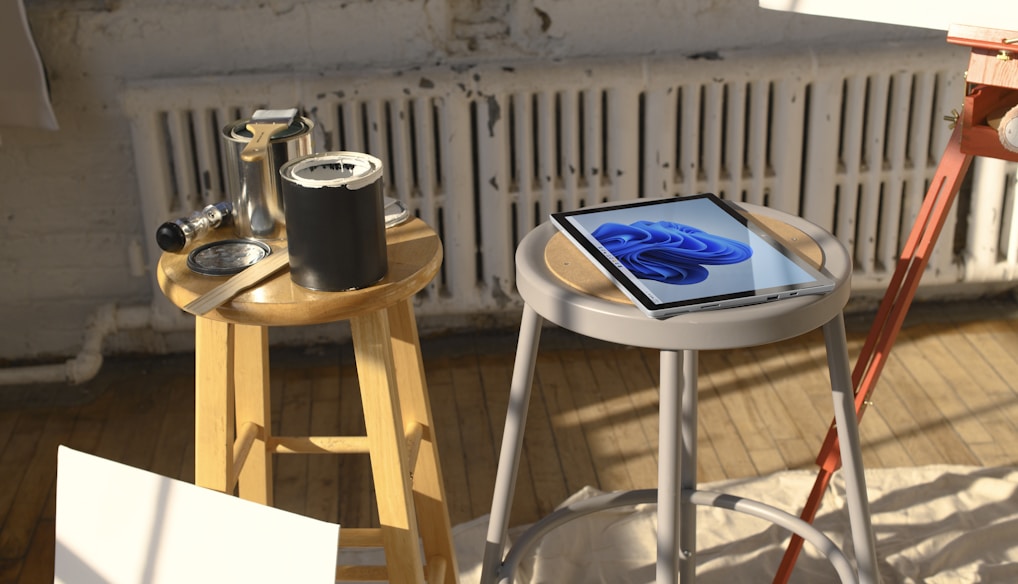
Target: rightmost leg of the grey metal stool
<point>852,451</point>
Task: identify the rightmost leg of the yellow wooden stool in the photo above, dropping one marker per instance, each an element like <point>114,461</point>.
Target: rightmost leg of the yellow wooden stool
<point>429,488</point>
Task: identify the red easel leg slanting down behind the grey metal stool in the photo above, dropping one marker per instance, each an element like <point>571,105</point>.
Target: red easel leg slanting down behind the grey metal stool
<point>890,317</point>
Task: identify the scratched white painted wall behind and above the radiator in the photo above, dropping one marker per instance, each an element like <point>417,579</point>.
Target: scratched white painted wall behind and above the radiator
<point>71,237</point>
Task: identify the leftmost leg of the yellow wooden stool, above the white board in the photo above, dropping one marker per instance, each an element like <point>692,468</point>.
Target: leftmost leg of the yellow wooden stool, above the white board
<point>214,357</point>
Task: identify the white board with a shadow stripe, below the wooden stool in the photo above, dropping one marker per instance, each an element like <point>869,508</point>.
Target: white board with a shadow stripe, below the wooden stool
<point>119,524</point>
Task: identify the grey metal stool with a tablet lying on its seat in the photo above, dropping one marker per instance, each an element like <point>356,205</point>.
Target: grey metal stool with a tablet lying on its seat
<point>680,338</point>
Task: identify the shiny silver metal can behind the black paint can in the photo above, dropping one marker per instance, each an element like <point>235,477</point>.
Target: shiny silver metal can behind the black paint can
<point>255,187</point>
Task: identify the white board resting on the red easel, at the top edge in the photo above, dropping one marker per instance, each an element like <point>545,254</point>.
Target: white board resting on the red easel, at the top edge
<point>938,15</point>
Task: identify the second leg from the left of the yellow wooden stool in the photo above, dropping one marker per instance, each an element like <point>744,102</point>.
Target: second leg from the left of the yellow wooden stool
<point>253,406</point>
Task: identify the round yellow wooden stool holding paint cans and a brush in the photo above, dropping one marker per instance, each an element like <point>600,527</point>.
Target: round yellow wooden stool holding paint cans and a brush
<point>234,442</point>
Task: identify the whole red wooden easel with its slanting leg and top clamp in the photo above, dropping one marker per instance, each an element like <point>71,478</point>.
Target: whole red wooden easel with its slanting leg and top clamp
<point>992,89</point>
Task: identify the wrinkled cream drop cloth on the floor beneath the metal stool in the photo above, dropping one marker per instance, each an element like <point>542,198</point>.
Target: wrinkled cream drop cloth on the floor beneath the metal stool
<point>943,524</point>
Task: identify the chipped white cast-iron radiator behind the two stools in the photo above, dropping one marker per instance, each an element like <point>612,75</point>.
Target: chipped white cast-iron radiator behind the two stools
<point>485,153</point>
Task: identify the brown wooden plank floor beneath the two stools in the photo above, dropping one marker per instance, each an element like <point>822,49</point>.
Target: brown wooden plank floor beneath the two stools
<point>948,395</point>
